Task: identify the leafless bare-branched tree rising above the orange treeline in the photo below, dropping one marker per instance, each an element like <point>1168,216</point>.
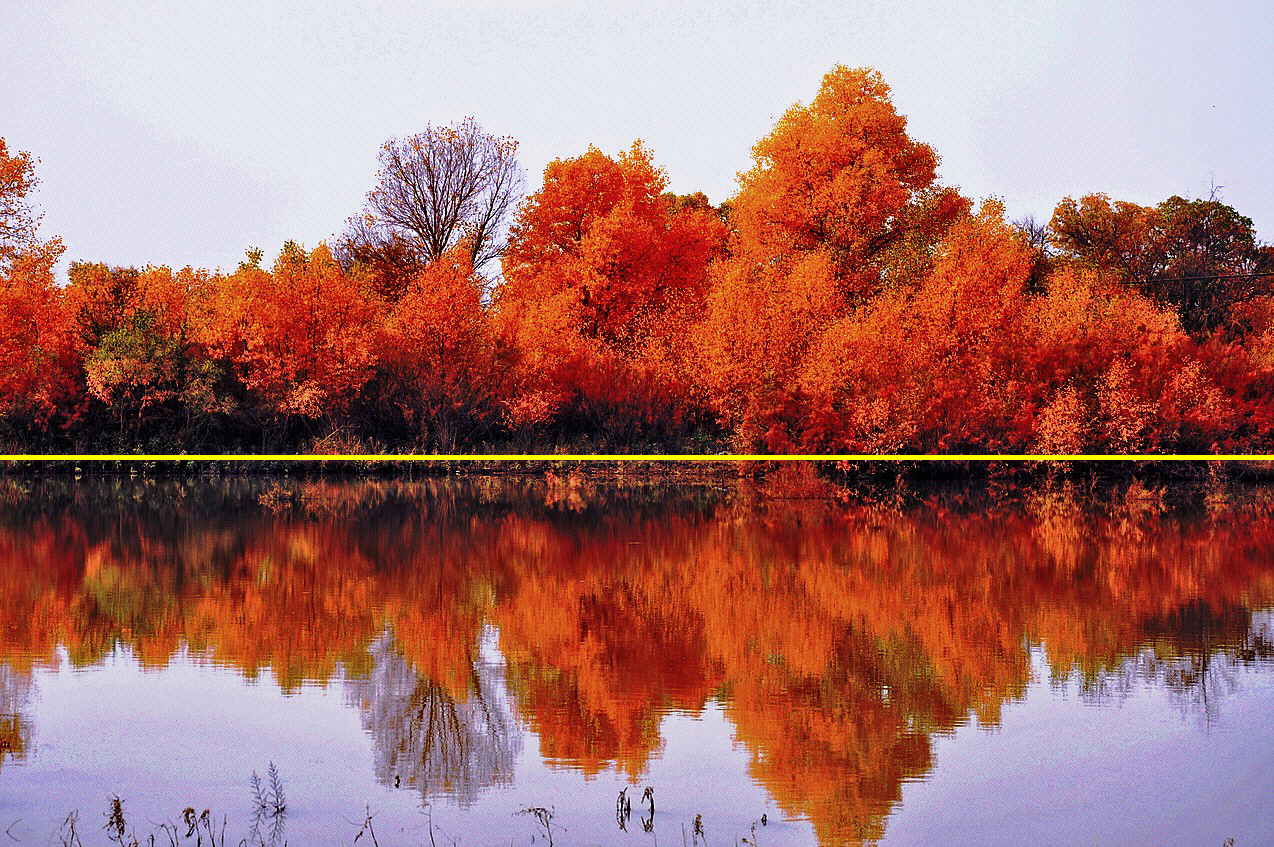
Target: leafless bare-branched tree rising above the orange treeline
<point>438,190</point>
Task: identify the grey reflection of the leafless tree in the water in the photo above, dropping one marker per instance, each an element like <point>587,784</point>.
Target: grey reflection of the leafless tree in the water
<point>426,738</point>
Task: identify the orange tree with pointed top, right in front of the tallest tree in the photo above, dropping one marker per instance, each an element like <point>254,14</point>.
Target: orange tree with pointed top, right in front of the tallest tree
<point>928,369</point>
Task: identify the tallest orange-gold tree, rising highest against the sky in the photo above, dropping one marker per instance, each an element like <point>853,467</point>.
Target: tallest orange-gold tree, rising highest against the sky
<point>839,199</point>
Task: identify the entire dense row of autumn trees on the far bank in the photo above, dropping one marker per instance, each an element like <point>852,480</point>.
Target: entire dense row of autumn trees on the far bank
<point>843,301</point>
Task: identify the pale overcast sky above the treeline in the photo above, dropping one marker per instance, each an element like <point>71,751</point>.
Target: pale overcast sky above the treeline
<point>183,133</point>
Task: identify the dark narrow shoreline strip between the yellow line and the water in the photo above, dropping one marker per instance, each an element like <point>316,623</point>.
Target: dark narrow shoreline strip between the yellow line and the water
<point>801,477</point>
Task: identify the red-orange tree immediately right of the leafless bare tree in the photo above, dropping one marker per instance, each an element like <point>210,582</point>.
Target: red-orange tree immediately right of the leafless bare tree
<point>605,274</point>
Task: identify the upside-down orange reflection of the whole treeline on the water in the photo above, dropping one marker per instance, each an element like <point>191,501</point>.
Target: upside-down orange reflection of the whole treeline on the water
<point>839,640</point>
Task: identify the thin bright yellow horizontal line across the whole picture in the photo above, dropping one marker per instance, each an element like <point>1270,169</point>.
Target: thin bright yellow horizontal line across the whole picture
<point>638,458</point>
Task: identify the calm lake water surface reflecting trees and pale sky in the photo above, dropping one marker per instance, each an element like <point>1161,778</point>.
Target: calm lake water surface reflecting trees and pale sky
<point>933,669</point>
